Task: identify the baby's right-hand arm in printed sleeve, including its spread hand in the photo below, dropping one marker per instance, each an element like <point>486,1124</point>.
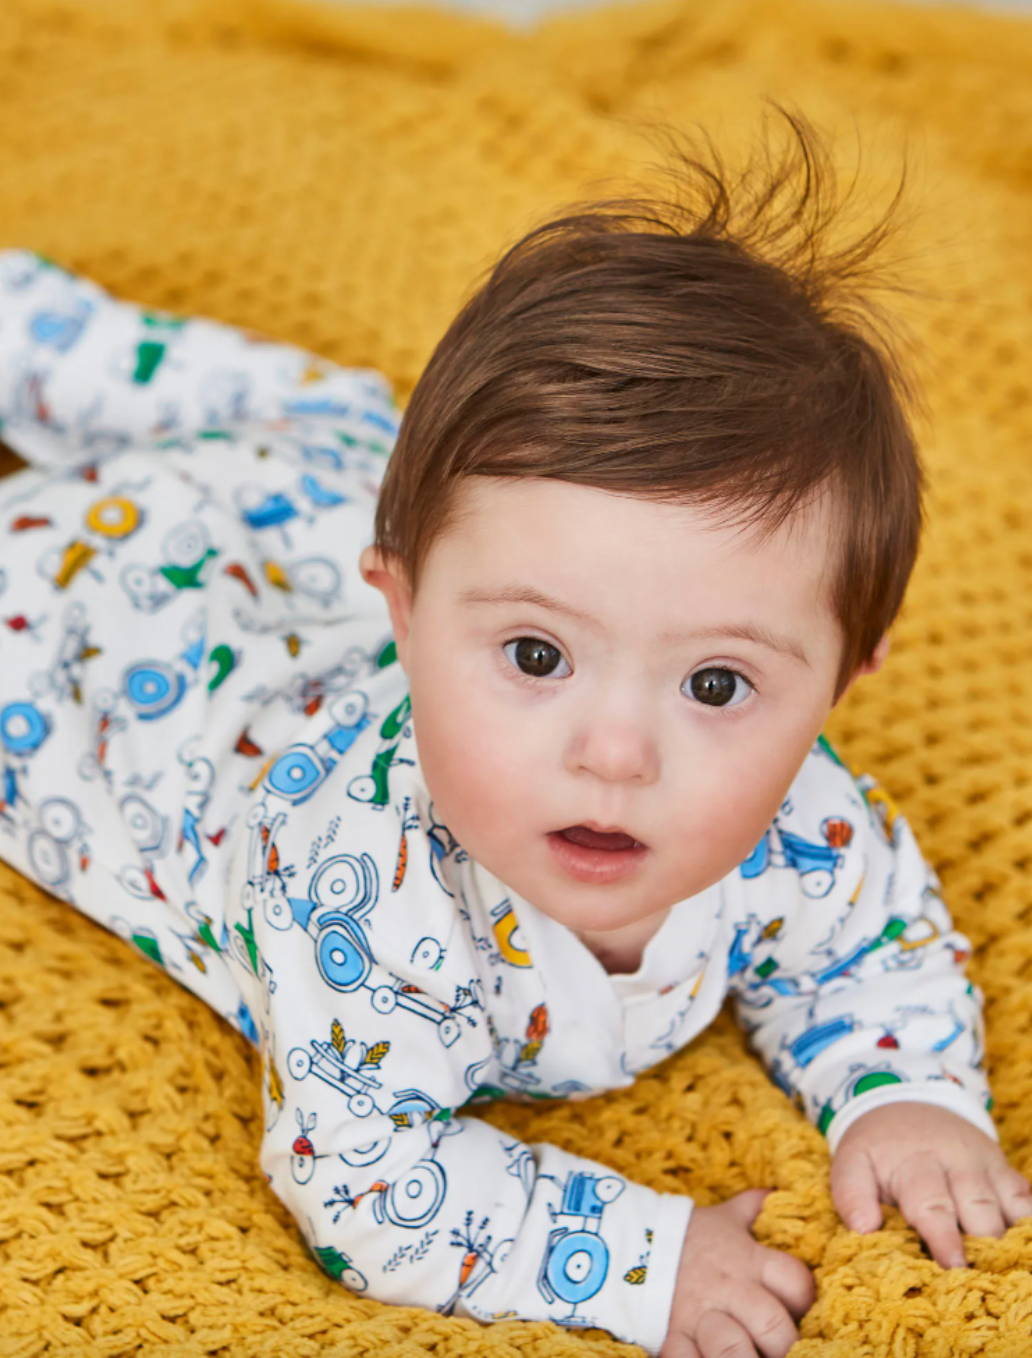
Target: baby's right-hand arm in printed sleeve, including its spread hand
<point>860,1008</point>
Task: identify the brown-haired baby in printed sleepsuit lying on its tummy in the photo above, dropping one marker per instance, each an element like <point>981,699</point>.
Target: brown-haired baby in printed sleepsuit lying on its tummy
<point>488,764</point>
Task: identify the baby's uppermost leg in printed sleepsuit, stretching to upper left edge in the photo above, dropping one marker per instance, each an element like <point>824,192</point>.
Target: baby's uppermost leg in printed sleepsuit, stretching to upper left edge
<point>84,375</point>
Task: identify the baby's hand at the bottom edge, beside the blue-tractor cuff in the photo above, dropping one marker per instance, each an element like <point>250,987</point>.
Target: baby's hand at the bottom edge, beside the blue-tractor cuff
<point>734,1296</point>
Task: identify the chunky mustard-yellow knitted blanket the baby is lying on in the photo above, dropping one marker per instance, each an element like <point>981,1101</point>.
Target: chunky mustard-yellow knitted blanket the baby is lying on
<point>340,177</point>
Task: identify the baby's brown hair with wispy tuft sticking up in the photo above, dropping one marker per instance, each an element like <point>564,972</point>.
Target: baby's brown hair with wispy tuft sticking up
<point>709,348</point>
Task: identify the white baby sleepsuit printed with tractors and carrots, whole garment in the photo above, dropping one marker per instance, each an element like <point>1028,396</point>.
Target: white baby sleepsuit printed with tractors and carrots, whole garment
<point>206,745</point>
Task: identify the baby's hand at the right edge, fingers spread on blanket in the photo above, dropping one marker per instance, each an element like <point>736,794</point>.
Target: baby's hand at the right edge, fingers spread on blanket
<point>936,1167</point>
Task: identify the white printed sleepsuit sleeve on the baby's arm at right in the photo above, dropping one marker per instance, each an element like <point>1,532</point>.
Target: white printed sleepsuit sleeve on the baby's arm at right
<point>847,972</point>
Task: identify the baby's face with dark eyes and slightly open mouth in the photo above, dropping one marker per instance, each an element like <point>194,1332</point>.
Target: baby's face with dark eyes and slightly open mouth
<point>586,659</point>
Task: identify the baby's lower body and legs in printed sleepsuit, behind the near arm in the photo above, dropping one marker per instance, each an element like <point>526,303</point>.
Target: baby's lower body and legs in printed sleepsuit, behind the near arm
<point>176,595</point>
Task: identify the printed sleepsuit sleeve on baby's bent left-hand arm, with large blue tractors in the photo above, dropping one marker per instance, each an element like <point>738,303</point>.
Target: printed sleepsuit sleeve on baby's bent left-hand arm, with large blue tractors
<point>374,1034</point>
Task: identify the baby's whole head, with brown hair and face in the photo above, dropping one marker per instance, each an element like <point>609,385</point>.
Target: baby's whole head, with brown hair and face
<point>652,511</point>
